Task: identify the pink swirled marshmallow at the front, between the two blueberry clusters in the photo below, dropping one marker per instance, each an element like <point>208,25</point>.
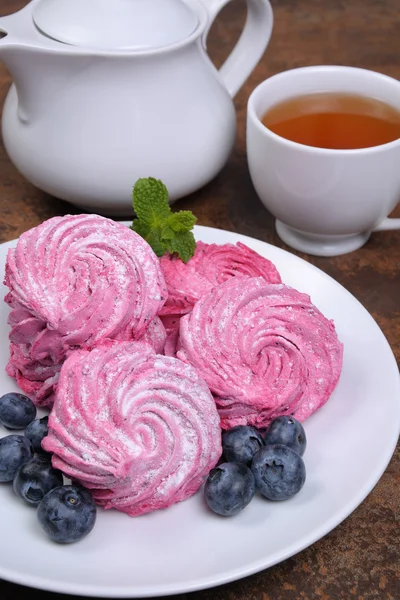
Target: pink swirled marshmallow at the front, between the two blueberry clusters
<point>141,431</point>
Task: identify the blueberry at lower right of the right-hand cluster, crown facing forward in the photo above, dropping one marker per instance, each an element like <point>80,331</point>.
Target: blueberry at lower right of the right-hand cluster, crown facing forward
<point>279,472</point>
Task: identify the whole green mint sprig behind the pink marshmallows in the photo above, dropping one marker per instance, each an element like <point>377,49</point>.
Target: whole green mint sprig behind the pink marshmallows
<point>164,230</point>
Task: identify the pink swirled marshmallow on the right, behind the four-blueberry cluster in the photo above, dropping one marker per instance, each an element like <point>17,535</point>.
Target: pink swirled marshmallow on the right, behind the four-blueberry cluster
<point>263,349</point>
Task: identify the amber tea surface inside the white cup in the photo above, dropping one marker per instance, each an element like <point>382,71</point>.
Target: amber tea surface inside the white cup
<point>335,121</point>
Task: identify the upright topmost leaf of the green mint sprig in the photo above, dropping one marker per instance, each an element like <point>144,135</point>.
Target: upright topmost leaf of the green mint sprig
<point>150,201</point>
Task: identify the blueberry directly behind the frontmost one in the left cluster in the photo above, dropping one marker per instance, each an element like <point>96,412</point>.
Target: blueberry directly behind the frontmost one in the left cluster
<point>35,479</point>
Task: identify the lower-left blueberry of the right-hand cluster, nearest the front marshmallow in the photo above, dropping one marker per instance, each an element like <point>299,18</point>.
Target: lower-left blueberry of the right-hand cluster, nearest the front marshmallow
<point>229,488</point>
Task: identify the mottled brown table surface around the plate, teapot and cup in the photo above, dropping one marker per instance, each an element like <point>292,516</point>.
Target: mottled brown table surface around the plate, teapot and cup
<point>360,559</point>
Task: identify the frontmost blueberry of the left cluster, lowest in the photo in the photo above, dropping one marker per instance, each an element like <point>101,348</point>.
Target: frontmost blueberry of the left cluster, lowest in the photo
<point>67,514</point>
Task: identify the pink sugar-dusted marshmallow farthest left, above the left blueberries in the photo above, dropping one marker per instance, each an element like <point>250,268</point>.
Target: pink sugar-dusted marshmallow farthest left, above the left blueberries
<point>75,281</point>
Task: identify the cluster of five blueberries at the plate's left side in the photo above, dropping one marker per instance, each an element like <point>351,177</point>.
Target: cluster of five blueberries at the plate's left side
<point>66,513</point>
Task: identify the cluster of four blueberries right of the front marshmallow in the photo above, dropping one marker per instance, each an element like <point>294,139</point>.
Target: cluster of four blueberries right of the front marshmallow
<point>271,463</point>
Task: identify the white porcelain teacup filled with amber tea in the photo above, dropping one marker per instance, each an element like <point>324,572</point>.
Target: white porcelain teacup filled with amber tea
<point>339,184</point>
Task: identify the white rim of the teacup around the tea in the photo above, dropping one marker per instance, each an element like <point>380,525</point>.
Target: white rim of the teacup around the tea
<point>251,112</point>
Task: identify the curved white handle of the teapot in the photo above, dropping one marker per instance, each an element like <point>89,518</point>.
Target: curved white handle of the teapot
<point>251,45</point>
